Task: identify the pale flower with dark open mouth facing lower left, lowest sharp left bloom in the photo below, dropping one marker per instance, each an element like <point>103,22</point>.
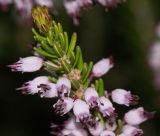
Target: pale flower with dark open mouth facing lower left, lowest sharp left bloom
<point>63,105</point>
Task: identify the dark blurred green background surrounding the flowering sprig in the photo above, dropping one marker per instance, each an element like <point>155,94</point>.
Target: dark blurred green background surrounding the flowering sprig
<point>125,32</point>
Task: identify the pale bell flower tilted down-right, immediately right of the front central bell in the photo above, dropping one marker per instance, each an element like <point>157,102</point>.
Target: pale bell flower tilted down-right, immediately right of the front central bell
<point>106,107</point>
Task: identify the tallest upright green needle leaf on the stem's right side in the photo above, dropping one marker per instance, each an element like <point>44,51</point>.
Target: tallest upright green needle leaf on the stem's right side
<point>72,44</point>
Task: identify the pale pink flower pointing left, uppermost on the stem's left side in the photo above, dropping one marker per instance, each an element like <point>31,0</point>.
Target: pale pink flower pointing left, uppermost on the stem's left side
<point>28,64</point>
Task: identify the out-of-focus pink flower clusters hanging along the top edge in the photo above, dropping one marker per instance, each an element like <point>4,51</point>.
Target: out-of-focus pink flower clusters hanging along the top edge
<point>73,7</point>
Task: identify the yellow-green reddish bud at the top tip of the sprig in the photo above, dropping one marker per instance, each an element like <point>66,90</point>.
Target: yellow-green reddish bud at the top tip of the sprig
<point>42,18</point>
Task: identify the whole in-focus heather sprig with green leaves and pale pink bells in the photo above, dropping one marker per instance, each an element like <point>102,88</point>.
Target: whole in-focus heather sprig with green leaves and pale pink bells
<point>91,108</point>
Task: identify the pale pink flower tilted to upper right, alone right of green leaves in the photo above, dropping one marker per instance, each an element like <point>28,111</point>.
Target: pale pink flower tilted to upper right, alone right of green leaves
<point>102,67</point>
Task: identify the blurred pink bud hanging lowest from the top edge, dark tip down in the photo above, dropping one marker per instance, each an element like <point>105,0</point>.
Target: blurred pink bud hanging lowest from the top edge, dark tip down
<point>73,9</point>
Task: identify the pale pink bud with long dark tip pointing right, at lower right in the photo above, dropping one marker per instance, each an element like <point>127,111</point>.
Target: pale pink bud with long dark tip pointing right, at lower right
<point>137,116</point>
